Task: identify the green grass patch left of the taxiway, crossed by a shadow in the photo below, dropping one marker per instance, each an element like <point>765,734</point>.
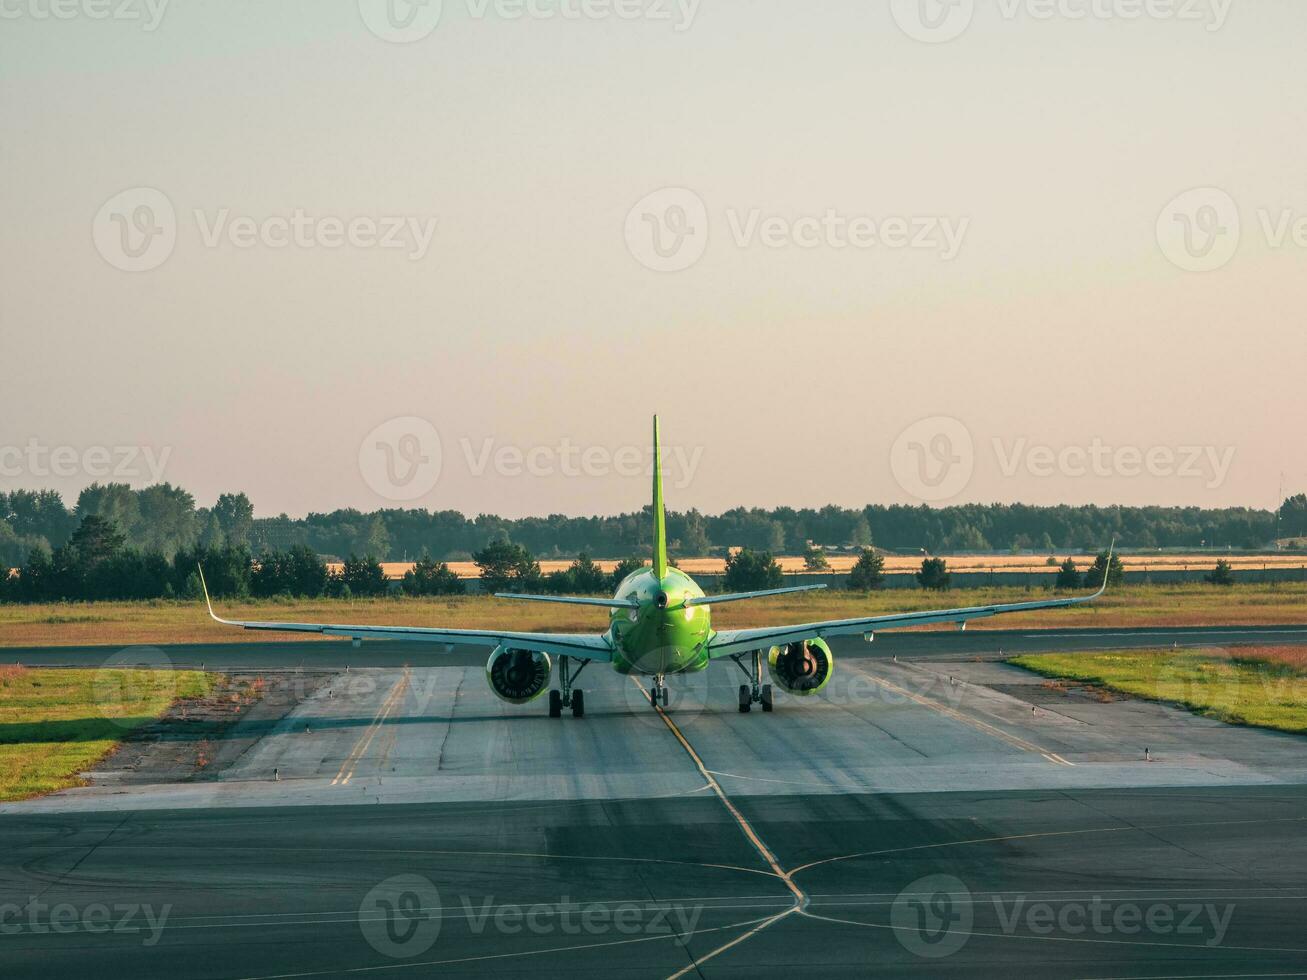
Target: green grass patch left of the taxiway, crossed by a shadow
<point>56,725</point>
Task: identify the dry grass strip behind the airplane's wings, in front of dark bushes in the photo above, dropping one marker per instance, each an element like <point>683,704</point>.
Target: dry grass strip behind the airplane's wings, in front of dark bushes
<point>122,624</point>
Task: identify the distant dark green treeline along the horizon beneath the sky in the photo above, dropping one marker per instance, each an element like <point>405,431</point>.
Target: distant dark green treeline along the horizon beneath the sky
<point>164,519</point>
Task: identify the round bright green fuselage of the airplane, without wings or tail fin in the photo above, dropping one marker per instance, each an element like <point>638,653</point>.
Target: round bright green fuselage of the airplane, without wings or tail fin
<point>662,636</point>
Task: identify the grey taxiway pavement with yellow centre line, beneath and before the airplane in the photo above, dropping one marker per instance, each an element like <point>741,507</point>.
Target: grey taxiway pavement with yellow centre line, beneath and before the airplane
<point>939,817</point>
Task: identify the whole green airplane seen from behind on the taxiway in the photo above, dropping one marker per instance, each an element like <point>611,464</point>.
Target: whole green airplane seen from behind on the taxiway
<point>659,627</point>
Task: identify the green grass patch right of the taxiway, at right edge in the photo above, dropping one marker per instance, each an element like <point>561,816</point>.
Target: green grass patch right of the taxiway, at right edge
<point>1265,688</point>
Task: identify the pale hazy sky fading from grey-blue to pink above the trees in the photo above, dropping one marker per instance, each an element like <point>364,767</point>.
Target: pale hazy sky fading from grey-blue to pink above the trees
<point>892,265</point>
